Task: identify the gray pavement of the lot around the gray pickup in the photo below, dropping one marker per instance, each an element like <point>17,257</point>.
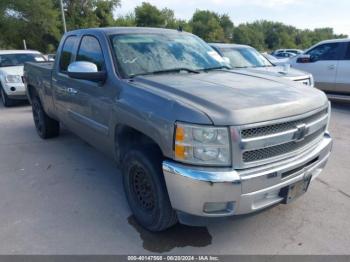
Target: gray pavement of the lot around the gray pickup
<point>62,196</point>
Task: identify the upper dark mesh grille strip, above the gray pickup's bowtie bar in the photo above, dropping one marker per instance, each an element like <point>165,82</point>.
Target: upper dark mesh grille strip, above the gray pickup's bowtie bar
<point>278,128</point>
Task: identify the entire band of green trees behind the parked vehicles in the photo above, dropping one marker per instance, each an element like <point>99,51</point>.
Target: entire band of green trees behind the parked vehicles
<point>39,23</point>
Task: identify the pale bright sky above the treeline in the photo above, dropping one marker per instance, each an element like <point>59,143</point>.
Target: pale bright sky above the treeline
<point>304,14</point>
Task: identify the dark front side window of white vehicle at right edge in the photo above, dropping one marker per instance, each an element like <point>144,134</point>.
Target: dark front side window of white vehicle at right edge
<point>330,51</point>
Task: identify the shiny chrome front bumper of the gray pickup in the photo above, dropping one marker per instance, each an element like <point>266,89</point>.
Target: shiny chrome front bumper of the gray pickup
<point>192,190</point>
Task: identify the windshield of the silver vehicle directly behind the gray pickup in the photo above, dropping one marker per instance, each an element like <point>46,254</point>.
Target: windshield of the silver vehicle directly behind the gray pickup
<point>245,57</point>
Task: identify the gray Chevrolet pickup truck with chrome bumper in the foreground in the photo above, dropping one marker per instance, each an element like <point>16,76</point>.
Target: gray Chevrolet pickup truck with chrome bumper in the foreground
<point>194,140</point>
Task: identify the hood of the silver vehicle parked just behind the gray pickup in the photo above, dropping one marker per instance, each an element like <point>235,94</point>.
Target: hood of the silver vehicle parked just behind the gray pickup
<point>278,71</point>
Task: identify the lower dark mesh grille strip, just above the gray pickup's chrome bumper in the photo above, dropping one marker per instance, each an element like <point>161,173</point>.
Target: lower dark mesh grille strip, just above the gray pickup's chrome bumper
<point>270,152</point>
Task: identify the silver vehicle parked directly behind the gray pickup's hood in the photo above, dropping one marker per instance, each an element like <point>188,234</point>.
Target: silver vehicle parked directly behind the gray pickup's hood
<point>243,57</point>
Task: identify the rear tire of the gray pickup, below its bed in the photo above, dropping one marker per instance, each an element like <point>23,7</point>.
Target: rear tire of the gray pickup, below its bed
<point>46,127</point>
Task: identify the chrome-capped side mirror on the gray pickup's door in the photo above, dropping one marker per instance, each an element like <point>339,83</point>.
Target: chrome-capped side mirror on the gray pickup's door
<point>85,71</point>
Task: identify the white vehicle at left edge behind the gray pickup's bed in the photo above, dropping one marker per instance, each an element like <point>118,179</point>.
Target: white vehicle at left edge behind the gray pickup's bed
<point>11,72</point>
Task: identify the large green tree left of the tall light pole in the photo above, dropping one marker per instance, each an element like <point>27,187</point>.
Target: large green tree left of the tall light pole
<point>36,21</point>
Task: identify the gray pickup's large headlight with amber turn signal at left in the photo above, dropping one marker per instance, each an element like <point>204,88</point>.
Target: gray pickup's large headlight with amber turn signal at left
<point>202,145</point>
